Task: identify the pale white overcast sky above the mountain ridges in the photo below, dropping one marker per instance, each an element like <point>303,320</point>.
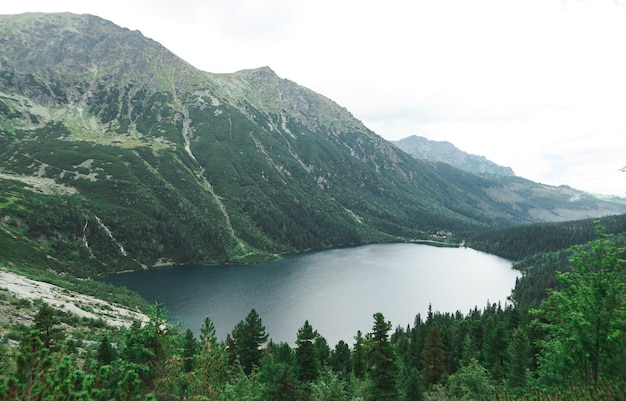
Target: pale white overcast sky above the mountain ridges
<point>536,85</point>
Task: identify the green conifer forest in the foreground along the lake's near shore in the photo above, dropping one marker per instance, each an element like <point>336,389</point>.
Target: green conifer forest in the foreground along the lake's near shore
<point>572,346</point>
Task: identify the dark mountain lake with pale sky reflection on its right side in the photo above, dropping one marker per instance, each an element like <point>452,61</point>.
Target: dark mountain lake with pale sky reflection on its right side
<point>337,290</point>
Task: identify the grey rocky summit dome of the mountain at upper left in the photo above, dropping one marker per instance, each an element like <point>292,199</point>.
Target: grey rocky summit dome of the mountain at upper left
<point>61,58</point>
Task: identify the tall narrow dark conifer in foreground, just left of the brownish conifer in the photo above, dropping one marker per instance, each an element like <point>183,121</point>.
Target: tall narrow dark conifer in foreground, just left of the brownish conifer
<point>384,370</point>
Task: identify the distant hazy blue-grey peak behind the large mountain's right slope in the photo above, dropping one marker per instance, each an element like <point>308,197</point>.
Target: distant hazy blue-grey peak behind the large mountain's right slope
<point>442,151</point>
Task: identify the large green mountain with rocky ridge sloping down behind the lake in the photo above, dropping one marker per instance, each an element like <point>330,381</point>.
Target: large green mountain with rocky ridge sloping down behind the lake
<point>116,154</point>
